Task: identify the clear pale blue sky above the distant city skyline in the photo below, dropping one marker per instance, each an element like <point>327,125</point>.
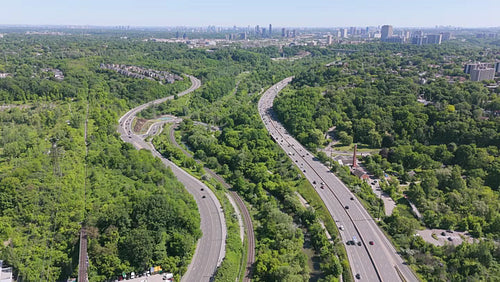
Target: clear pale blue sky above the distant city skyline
<point>312,13</point>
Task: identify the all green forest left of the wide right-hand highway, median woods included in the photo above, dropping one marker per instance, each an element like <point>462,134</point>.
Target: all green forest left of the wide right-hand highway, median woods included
<point>135,212</point>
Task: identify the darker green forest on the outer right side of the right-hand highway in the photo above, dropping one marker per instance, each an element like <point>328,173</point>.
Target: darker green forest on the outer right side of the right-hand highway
<point>444,149</point>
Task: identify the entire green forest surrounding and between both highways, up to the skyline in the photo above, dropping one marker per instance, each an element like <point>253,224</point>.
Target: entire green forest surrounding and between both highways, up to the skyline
<point>136,213</point>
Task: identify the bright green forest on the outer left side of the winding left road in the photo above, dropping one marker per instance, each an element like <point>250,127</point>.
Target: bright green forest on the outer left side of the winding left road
<point>135,212</point>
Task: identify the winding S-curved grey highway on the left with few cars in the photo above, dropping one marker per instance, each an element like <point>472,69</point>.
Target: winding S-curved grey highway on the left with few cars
<point>210,250</point>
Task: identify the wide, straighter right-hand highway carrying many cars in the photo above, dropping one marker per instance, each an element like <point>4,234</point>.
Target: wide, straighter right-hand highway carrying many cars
<point>375,259</point>
